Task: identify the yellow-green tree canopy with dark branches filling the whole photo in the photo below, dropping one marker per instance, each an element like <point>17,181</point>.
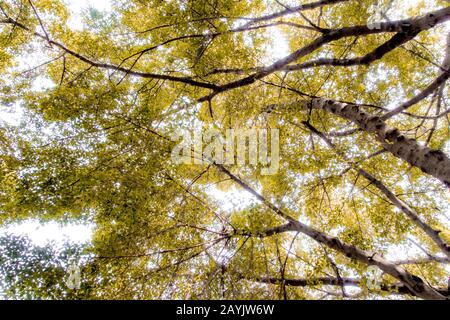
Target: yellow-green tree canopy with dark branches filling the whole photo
<point>362,108</point>
